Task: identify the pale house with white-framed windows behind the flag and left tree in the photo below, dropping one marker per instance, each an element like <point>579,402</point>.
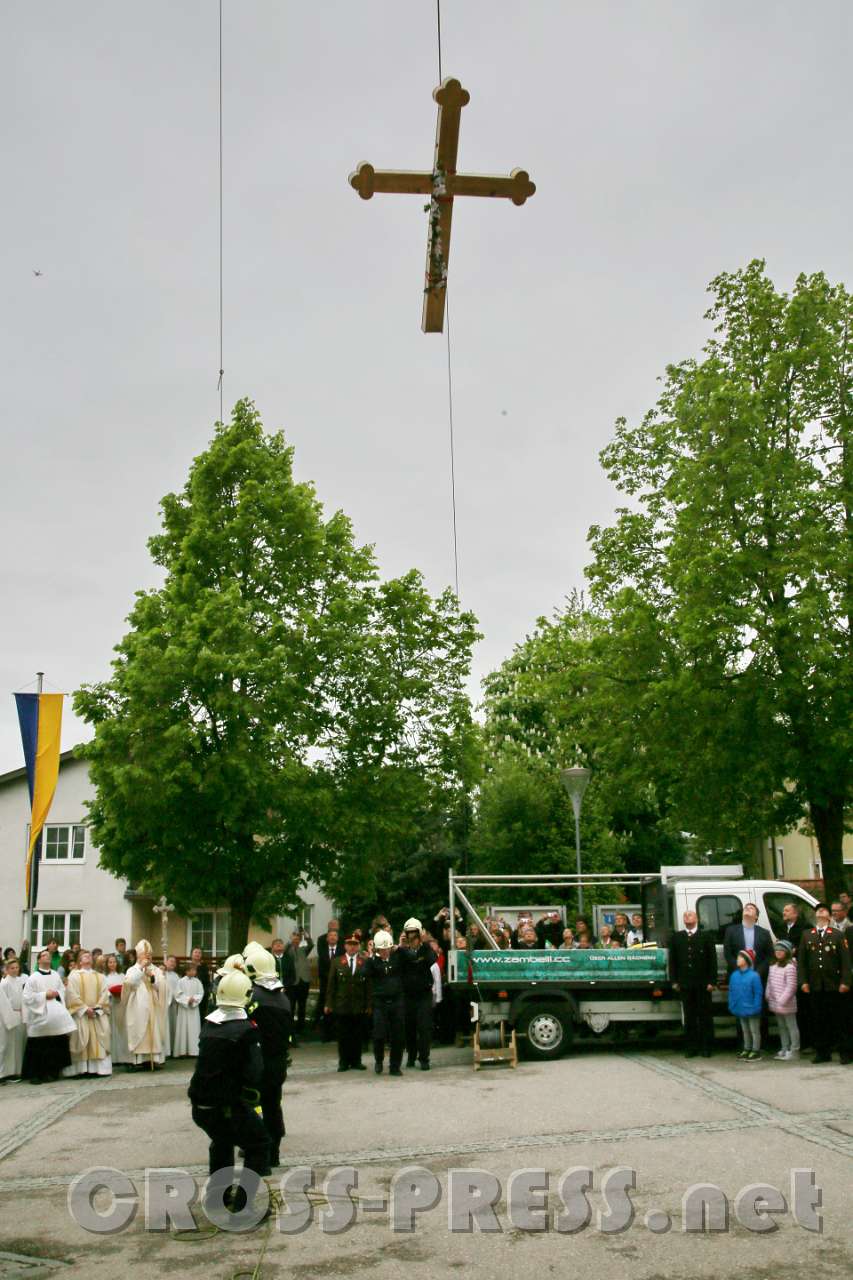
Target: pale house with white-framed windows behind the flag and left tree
<point>81,903</point>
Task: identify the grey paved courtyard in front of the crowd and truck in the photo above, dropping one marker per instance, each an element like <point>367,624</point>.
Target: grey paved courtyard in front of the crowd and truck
<point>677,1123</point>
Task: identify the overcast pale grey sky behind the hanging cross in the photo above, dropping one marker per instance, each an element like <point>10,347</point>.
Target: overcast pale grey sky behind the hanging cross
<point>669,141</point>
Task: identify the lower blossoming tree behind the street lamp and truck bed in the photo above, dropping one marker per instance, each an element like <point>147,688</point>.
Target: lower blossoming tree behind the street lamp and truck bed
<point>548,706</point>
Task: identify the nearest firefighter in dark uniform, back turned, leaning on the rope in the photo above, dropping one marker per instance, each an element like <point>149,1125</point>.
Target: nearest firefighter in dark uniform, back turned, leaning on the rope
<point>226,1085</point>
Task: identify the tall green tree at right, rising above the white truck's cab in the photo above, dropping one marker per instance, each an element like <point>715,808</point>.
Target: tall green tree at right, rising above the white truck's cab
<point>728,584</point>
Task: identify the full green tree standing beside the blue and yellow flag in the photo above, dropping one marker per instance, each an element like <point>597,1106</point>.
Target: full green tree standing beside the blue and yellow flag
<point>275,714</point>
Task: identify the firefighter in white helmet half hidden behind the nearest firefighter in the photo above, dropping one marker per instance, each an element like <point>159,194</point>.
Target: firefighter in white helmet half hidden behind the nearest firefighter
<point>271,1009</point>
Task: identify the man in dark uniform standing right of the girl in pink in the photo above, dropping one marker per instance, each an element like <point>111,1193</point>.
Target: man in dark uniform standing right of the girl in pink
<point>825,979</point>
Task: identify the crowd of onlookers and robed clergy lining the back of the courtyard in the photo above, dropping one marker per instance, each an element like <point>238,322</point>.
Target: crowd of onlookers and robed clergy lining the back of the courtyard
<point>83,1013</point>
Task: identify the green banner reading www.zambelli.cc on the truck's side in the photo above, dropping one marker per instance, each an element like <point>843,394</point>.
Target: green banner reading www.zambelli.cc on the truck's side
<point>614,966</point>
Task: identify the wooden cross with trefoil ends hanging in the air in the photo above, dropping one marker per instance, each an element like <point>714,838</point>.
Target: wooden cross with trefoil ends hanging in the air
<point>443,185</point>
